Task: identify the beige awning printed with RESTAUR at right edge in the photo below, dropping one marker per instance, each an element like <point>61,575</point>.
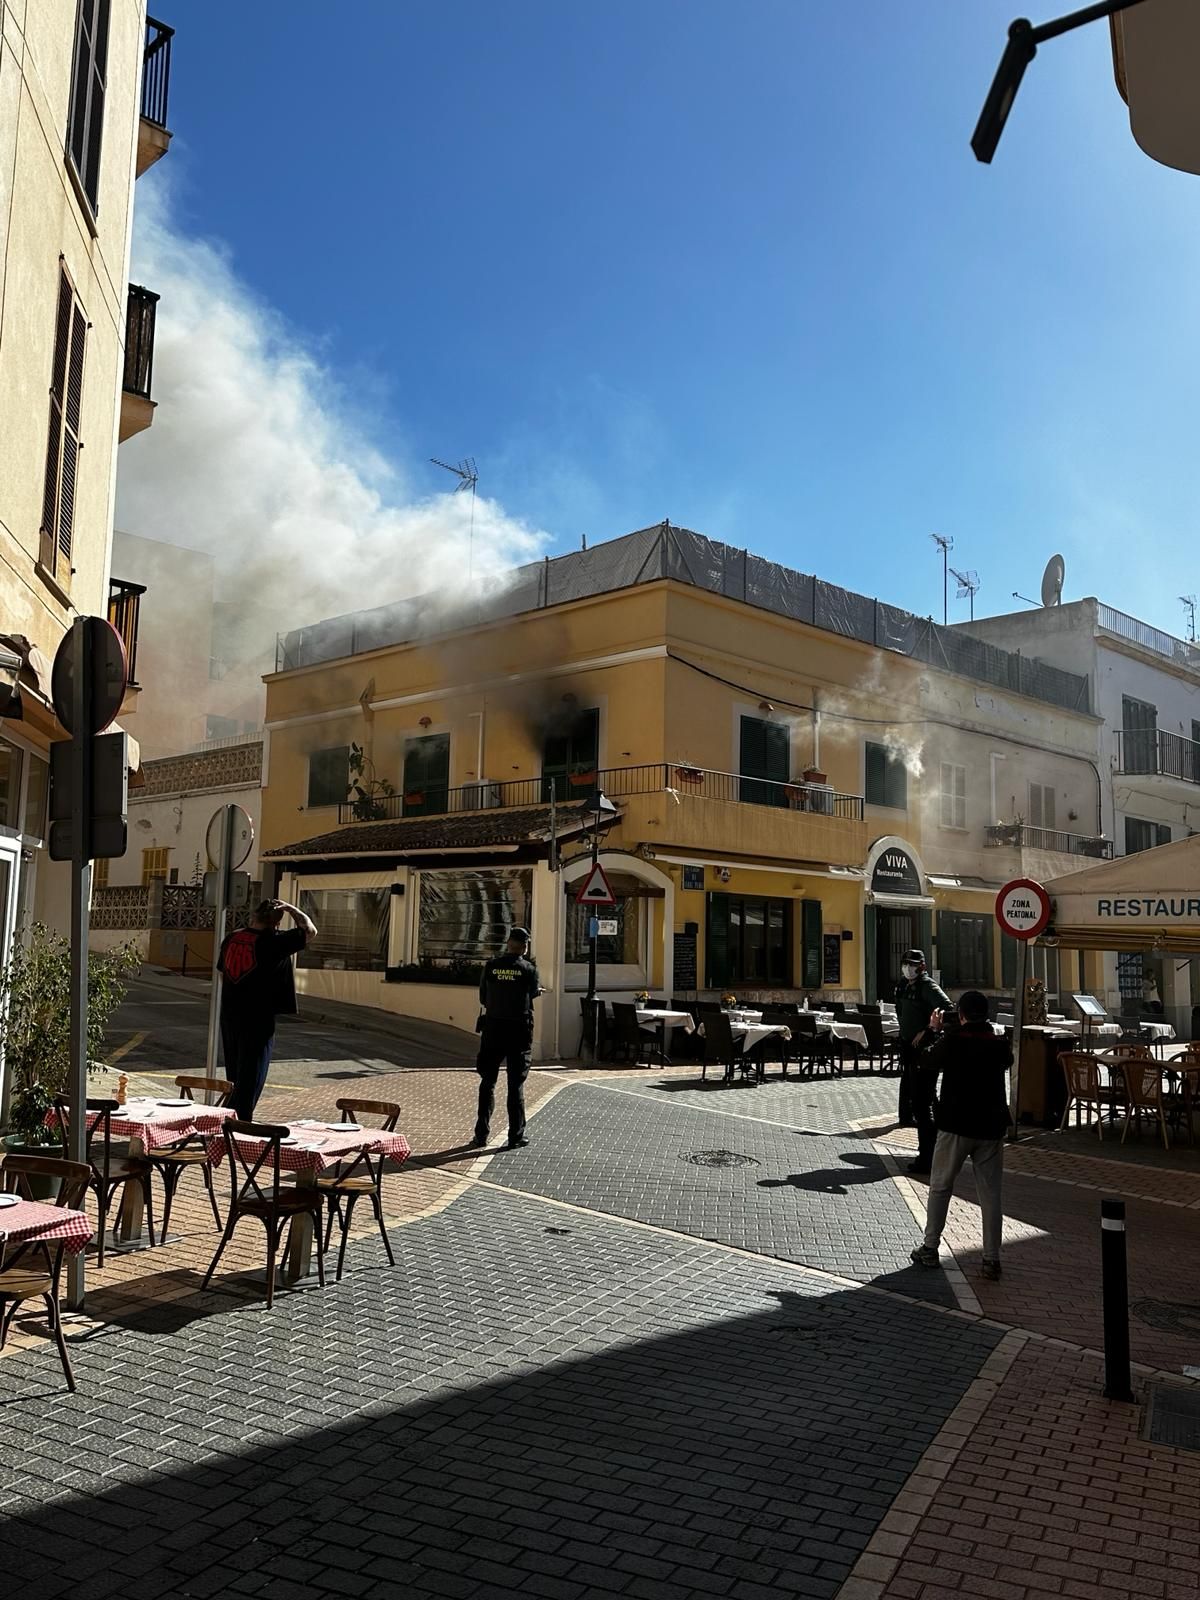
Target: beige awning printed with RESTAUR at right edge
<point>1148,902</point>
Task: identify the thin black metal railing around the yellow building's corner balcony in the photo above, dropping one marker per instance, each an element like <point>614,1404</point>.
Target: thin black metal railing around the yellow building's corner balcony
<point>617,783</point>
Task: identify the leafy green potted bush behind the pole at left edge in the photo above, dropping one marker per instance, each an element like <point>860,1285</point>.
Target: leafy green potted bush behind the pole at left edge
<point>36,1028</point>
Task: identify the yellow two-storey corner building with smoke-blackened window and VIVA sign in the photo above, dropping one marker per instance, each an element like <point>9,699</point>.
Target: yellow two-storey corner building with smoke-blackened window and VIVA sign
<point>806,783</point>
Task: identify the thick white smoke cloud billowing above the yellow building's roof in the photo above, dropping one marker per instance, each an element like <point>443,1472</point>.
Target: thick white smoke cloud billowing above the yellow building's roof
<point>257,457</point>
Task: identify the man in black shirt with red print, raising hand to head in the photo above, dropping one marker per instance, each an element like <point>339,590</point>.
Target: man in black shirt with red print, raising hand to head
<point>257,986</point>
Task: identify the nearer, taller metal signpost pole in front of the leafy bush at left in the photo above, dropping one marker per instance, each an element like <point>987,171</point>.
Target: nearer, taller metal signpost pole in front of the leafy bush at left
<point>81,898</point>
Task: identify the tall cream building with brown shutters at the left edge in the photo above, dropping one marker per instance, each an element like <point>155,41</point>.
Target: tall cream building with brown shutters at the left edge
<point>82,114</point>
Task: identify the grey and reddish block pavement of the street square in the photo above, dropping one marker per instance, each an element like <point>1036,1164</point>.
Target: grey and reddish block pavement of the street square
<point>601,1369</point>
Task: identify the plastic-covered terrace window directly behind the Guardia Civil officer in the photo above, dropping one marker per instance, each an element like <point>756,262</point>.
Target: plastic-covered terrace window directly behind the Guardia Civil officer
<point>465,916</point>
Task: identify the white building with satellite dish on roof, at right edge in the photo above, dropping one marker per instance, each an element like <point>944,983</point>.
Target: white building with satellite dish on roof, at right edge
<point>1146,689</point>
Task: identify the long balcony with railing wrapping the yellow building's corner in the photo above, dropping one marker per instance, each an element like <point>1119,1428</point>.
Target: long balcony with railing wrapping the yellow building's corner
<point>687,807</point>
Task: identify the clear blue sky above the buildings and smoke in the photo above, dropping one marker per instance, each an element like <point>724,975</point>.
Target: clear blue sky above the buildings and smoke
<point>724,263</point>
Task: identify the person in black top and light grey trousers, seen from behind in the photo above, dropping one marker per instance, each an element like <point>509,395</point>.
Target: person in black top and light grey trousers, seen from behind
<point>972,1113</point>
